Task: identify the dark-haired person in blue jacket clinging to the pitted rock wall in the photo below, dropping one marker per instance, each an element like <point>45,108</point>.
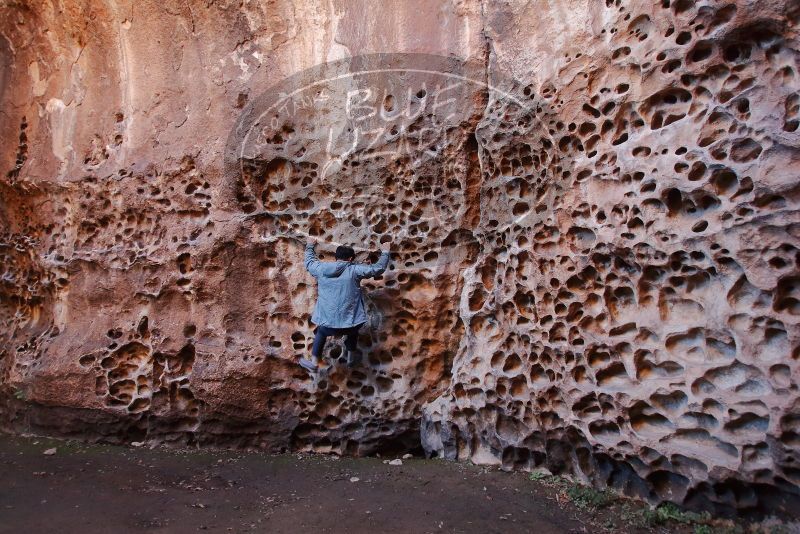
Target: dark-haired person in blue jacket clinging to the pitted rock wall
<point>340,307</point>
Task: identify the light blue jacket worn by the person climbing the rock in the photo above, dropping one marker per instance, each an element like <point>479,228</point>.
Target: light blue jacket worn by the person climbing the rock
<point>339,302</point>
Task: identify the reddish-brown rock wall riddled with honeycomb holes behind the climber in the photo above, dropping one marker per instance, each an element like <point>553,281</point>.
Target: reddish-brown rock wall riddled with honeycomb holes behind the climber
<point>613,291</point>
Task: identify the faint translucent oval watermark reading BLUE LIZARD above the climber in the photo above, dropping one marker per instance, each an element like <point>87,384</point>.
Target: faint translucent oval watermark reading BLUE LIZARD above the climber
<point>376,148</point>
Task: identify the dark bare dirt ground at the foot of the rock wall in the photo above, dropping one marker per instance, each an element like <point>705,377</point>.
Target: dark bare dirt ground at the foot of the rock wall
<point>102,488</point>
